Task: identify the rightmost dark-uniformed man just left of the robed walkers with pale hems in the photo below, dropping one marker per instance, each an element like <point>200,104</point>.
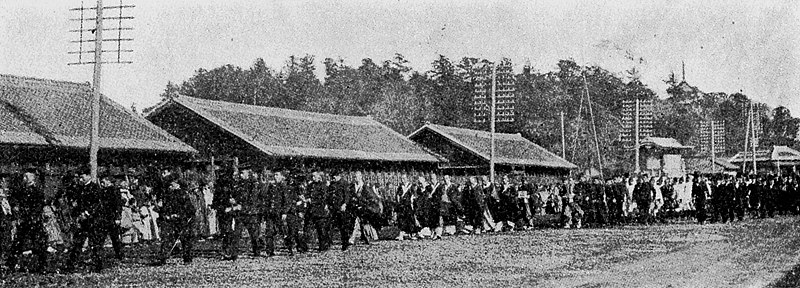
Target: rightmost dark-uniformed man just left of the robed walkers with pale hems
<point>340,193</point>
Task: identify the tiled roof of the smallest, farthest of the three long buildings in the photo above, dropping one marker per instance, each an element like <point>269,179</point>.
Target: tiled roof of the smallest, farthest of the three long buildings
<point>510,149</point>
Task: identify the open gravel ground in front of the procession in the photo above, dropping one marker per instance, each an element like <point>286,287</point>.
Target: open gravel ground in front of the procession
<point>753,253</point>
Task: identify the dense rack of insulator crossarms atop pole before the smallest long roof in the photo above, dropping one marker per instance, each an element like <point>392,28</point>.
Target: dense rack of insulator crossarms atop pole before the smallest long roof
<point>505,92</point>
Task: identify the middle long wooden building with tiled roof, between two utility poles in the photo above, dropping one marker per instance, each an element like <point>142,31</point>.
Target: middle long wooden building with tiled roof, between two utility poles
<point>276,138</point>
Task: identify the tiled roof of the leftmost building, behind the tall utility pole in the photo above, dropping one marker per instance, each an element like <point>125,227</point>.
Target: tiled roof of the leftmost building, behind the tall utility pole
<point>42,112</point>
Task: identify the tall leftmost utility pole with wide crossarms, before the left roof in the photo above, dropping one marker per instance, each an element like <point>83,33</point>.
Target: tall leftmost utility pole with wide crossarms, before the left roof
<point>98,40</point>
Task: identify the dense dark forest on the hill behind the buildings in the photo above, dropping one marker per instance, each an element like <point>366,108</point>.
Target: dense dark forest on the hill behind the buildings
<point>404,99</point>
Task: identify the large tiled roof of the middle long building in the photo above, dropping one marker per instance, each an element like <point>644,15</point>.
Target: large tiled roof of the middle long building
<point>291,133</point>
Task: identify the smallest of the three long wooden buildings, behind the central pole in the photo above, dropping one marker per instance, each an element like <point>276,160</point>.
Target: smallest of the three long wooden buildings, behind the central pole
<point>468,153</point>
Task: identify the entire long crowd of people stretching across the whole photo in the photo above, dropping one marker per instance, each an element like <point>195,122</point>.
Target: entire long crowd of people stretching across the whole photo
<point>177,208</point>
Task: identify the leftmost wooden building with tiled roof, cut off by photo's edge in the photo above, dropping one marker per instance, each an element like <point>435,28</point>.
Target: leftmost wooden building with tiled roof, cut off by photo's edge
<point>46,124</point>
